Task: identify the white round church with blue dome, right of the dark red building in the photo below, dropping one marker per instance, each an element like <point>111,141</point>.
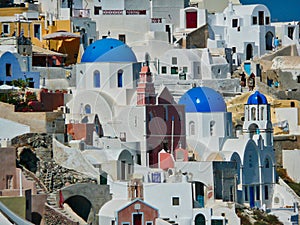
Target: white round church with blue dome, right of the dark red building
<point>207,118</point>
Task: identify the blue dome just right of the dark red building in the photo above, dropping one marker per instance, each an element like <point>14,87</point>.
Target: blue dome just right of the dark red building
<point>203,99</point>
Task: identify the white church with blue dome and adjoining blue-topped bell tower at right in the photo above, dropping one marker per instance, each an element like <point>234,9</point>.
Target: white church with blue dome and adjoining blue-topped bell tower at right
<point>210,138</point>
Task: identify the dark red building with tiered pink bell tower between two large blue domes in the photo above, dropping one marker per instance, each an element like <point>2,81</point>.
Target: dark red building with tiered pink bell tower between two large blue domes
<point>165,120</point>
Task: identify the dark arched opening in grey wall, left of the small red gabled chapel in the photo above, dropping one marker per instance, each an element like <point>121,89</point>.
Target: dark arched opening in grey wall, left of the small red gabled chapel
<point>80,205</point>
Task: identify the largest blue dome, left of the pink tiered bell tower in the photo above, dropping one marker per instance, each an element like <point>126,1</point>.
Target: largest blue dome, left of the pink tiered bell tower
<point>108,50</point>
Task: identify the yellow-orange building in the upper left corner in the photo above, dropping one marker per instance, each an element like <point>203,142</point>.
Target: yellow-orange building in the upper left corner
<point>21,21</point>
